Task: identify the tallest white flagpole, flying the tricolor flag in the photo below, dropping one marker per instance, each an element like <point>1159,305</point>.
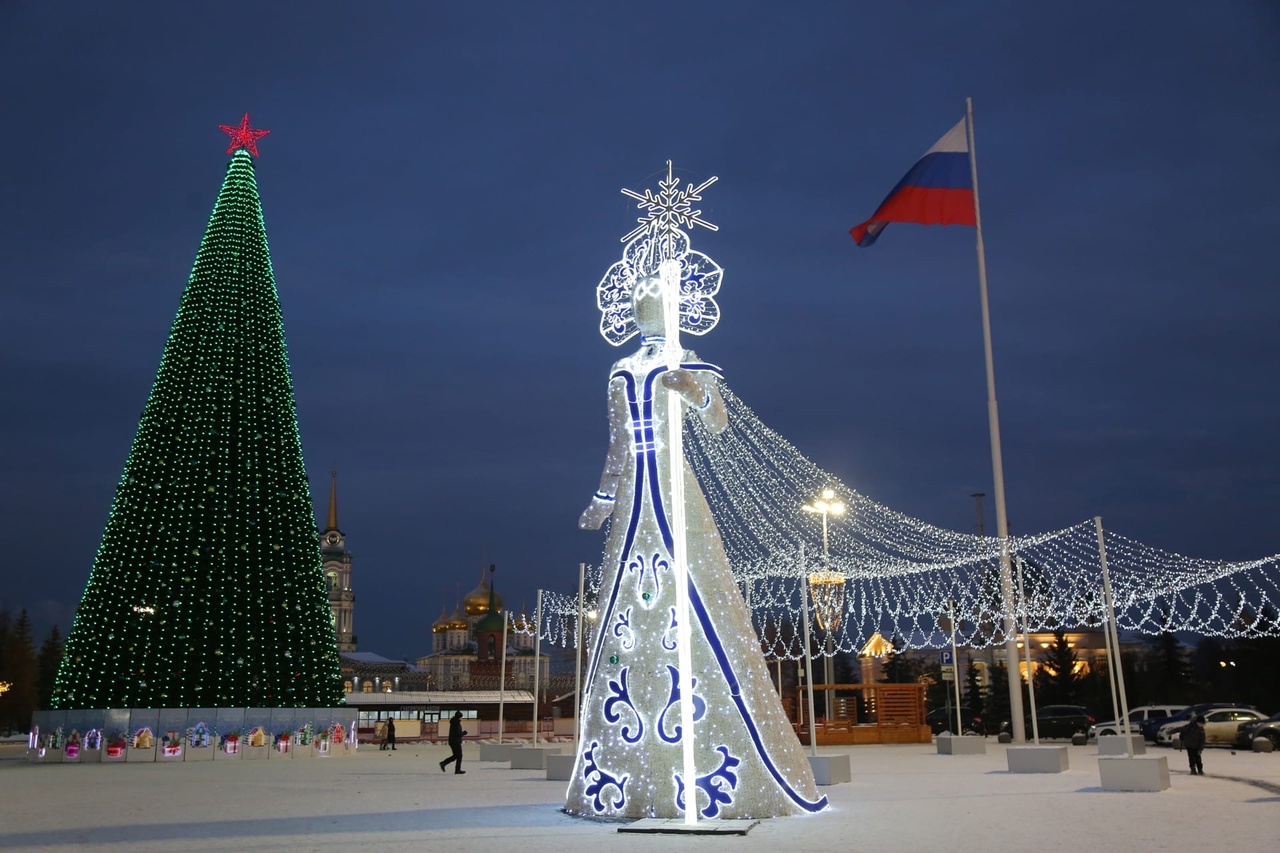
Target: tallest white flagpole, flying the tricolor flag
<point>998,467</point>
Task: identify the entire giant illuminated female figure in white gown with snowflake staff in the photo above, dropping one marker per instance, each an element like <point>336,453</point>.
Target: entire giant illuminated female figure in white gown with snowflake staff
<point>673,621</point>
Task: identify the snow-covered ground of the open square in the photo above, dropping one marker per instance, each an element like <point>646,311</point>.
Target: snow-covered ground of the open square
<point>904,799</point>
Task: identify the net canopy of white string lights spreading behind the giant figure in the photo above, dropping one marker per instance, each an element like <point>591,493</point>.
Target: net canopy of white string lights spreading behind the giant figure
<point>900,573</point>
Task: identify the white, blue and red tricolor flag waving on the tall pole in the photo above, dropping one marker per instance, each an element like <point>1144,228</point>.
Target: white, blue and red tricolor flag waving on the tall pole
<point>938,191</point>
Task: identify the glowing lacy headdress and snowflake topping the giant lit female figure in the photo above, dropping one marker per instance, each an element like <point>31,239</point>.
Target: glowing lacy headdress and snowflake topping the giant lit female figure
<point>659,238</point>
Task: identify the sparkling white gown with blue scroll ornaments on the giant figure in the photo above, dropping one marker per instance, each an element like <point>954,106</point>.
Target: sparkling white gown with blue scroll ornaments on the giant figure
<point>749,763</point>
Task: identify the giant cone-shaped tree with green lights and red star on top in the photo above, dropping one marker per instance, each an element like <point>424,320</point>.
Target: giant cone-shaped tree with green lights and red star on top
<point>207,590</point>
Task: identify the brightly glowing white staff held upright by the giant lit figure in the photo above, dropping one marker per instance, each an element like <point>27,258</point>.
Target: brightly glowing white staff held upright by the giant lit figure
<point>669,271</point>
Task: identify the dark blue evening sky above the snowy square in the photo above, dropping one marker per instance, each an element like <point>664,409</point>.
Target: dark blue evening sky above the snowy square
<point>441,193</point>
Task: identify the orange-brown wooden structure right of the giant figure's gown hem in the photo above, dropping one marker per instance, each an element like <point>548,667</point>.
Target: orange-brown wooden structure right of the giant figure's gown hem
<point>893,714</point>
